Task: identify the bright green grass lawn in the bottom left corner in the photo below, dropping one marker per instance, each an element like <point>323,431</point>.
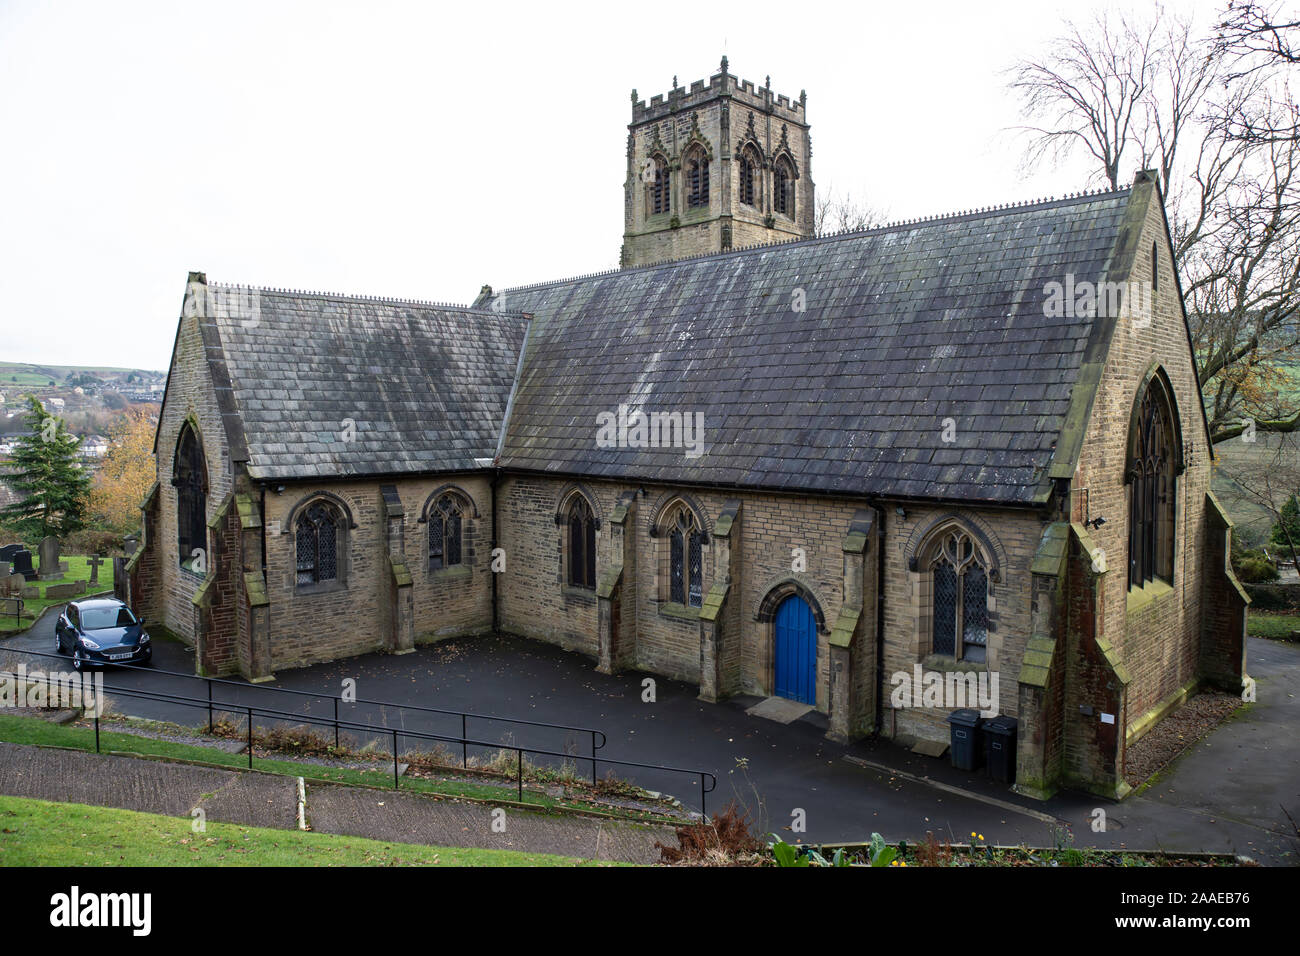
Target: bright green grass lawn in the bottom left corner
<point>40,833</point>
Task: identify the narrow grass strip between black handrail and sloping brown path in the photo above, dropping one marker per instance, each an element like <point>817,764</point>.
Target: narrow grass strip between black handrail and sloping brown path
<point>33,730</point>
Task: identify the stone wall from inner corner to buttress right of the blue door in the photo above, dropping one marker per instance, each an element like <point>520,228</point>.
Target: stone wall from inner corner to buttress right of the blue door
<point>536,602</point>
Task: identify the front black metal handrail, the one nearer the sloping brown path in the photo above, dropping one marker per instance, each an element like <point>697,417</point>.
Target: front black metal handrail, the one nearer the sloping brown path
<point>708,781</point>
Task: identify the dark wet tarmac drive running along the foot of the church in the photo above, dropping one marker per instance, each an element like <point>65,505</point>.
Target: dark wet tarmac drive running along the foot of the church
<point>1227,795</point>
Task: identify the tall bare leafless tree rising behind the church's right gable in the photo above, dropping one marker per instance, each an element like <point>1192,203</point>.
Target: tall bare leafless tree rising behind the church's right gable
<point>1158,96</point>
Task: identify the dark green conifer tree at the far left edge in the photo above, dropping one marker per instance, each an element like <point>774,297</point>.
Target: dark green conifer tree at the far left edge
<point>46,474</point>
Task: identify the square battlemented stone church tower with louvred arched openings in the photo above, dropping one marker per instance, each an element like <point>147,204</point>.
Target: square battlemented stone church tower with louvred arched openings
<point>716,167</point>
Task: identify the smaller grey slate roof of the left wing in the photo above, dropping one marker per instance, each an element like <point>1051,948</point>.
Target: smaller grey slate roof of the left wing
<point>426,386</point>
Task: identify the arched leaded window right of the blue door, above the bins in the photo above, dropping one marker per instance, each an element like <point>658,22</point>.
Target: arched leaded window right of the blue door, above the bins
<point>960,590</point>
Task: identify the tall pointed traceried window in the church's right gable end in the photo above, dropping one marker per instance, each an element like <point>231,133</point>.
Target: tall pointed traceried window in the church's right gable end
<point>1151,498</point>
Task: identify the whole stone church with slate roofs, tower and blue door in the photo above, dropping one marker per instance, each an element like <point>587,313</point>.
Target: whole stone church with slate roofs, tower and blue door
<point>752,458</point>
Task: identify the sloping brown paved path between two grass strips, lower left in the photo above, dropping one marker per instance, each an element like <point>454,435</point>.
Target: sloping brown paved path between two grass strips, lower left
<point>254,799</point>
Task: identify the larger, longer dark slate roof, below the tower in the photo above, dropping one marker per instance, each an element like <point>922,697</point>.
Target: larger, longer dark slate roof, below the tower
<point>904,327</point>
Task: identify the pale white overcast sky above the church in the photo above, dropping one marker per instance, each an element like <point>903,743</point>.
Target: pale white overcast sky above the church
<point>421,150</point>
